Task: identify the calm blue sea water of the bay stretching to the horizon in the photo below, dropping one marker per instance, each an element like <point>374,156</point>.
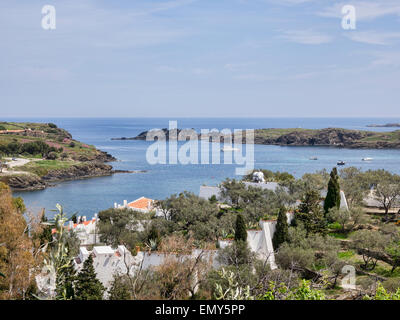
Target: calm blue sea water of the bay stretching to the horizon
<point>91,195</point>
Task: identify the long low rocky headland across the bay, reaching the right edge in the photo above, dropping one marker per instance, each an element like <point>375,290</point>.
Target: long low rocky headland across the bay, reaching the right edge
<point>335,137</point>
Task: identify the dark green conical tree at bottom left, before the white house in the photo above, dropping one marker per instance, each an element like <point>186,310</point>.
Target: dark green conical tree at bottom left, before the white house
<point>87,286</point>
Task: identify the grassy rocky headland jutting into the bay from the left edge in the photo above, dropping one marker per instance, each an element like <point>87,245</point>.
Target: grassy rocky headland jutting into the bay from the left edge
<point>34,155</point>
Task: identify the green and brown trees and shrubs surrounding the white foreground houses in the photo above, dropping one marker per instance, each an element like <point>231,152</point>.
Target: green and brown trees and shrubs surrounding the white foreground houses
<point>310,253</point>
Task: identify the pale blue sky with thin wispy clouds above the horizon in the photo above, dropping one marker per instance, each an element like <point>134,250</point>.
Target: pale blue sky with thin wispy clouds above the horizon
<point>200,58</point>
